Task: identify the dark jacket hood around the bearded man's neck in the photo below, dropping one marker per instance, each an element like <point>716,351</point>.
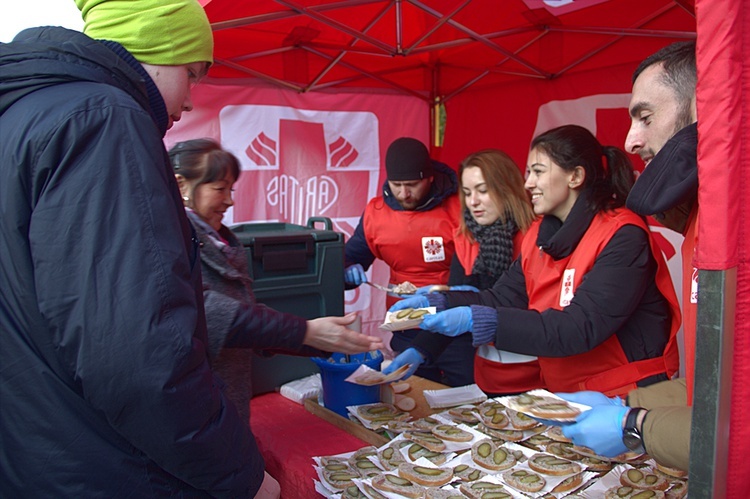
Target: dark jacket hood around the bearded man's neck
<point>671,178</point>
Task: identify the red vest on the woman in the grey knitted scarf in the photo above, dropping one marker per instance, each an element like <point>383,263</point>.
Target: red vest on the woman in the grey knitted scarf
<point>492,376</point>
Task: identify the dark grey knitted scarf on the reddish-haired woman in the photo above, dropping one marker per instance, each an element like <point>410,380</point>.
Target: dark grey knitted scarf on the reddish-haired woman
<point>495,245</point>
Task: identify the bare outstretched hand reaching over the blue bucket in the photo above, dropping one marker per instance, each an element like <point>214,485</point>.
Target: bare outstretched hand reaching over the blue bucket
<point>331,334</point>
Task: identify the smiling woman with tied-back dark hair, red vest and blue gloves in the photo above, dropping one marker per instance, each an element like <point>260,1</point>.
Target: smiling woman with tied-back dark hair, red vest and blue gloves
<point>590,295</point>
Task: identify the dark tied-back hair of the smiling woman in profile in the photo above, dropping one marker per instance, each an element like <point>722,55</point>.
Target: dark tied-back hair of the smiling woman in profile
<point>609,172</point>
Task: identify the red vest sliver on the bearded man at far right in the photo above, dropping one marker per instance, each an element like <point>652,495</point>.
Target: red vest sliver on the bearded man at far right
<point>690,298</point>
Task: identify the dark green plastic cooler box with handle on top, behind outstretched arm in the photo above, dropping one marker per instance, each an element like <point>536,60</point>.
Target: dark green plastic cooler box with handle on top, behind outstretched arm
<point>298,270</point>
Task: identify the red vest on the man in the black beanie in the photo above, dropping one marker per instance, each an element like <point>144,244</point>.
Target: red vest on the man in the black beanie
<point>416,245</point>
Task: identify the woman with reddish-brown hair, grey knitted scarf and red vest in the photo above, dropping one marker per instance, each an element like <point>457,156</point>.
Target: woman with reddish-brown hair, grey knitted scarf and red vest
<point>496,212</point>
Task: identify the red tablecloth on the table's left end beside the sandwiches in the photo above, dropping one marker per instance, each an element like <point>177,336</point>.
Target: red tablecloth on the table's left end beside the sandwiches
<point>289,436</point>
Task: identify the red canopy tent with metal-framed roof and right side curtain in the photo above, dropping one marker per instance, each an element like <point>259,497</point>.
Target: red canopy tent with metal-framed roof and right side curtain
<point>478,62</point>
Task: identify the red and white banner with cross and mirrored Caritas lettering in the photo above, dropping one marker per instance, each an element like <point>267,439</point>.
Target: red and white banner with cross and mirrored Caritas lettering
<point>307,155</point>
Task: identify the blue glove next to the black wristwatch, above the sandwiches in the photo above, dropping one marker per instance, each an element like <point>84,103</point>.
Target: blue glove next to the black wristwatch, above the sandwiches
<point>599,429</point>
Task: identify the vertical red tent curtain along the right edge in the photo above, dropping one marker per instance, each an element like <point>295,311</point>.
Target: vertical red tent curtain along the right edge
<point>724,176</point>
